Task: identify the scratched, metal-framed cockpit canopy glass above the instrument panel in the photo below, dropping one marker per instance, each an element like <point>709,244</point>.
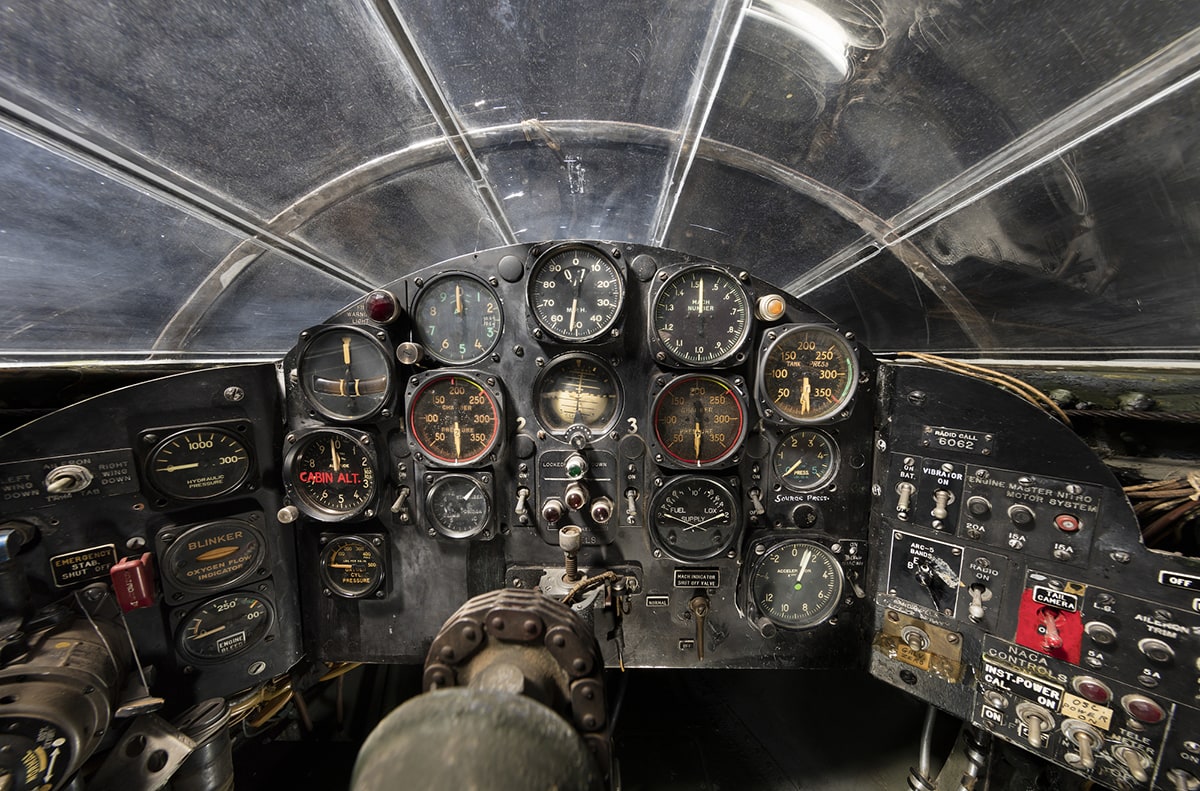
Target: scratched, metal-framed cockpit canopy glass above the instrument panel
<point>197,181</point>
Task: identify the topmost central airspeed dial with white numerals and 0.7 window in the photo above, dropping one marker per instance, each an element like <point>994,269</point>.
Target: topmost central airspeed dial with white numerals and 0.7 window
<point>577,293</point>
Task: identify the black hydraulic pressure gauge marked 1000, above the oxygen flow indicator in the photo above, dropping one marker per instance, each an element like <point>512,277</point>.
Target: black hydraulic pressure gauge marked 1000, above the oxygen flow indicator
<point>199,464</point>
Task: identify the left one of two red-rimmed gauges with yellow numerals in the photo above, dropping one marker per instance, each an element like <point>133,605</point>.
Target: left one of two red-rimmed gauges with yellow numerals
<point>454,420</point>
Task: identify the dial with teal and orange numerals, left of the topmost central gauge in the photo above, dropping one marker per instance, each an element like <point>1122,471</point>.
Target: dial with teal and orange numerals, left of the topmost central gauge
<point>458,319</point>
